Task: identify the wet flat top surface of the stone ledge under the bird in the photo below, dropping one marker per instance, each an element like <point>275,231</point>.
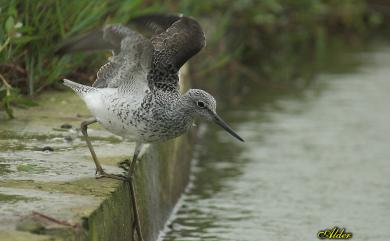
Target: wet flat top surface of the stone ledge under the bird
<point>45,166</point>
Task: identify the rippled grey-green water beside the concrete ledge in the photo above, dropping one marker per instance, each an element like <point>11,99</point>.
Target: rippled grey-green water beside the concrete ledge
<point>315,157</point>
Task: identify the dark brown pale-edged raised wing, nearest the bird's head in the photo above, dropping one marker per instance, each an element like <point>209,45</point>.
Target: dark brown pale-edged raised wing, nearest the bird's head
<point>172,48</point>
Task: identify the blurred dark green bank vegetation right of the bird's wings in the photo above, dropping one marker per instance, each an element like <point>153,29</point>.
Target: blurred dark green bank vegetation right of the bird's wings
<point>271,40</point>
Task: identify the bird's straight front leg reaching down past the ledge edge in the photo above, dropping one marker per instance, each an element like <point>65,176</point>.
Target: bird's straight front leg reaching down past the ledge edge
<point>137,225</point>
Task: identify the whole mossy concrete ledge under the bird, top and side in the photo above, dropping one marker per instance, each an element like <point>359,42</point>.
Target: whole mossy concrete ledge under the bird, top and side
<point>47,169</point>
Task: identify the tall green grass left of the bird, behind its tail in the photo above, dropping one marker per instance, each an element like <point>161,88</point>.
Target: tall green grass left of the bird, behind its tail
<point>32,30</point>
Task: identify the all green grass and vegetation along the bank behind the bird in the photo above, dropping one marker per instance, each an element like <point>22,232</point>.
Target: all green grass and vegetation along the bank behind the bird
<point>268,34</point>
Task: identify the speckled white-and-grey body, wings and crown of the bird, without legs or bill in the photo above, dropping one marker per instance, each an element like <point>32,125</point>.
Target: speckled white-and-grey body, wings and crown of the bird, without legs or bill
<point>136,94</point>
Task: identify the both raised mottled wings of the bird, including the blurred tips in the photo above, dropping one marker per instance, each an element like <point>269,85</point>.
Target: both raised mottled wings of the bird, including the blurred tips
<point>176,39</point>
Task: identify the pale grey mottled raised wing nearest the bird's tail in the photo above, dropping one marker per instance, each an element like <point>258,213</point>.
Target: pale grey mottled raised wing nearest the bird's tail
<point>131,61</point>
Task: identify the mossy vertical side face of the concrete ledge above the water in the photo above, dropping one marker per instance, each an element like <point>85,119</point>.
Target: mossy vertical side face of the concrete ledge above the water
<point>161,177</point>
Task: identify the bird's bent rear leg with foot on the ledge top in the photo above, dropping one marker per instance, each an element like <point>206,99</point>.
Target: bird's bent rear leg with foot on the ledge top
<point>99,170</point>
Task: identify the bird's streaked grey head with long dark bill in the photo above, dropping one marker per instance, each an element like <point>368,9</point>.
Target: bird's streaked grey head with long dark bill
<point>204,106</point>
